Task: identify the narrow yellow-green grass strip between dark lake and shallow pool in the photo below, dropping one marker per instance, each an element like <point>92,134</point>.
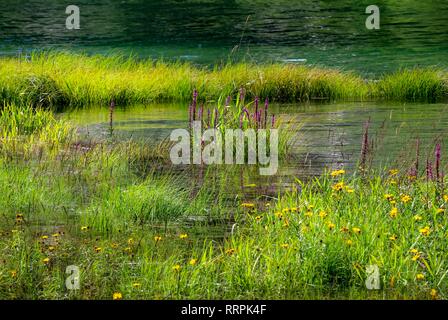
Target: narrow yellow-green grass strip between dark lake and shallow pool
<point>59,80</point>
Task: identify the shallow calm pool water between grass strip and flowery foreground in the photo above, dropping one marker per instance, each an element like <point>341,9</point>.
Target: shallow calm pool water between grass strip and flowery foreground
<point>325,135</point>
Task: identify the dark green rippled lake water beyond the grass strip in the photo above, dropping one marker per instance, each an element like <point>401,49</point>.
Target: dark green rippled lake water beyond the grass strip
<point>329,33</point>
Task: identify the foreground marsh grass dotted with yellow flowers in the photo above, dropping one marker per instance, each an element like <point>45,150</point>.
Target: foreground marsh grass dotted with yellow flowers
<point>101,206</point>
